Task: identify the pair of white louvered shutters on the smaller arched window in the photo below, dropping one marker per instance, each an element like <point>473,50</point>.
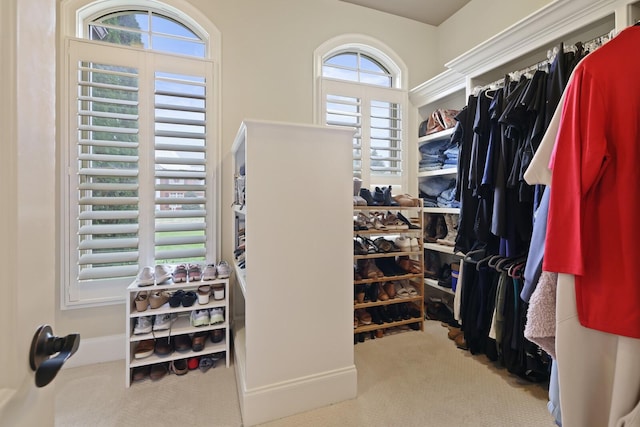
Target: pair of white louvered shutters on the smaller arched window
<point>377,114</point>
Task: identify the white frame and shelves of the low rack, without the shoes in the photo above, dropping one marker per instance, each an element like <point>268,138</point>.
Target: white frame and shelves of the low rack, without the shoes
<point>182,324</point>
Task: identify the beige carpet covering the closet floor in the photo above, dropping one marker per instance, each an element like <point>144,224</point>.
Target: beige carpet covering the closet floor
<point>407,379</point>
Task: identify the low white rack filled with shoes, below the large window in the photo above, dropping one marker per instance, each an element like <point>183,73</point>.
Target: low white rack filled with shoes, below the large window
<point>175,322</point>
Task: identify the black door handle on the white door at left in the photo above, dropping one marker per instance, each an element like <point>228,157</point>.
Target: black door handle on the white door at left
<point>43,346</point>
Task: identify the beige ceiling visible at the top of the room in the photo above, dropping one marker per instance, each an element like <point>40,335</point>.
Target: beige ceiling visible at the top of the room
<point>432,12</point>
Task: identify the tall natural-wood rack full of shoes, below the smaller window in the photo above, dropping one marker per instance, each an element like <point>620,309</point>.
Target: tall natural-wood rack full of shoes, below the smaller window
<point>388,267</point>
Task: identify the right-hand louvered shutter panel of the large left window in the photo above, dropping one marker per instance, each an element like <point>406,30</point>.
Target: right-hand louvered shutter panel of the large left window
<point>180,167</point>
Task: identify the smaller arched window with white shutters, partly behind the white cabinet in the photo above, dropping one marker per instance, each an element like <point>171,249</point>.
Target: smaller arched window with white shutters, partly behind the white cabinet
<point>361,86</point>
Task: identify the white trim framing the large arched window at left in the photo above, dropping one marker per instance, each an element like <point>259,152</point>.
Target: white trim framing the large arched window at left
<point>72,16</point>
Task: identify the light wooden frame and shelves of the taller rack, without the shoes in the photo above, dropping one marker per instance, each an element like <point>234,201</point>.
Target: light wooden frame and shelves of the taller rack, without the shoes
<point>415,216</point>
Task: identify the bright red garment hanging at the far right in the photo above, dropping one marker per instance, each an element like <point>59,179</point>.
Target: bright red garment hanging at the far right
<point>593,225</point>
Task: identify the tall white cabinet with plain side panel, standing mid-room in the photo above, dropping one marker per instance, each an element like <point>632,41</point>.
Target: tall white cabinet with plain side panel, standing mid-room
<point>293,294</point>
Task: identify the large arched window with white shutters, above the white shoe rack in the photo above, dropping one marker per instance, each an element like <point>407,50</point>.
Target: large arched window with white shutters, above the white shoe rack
<point>140,137</point>
